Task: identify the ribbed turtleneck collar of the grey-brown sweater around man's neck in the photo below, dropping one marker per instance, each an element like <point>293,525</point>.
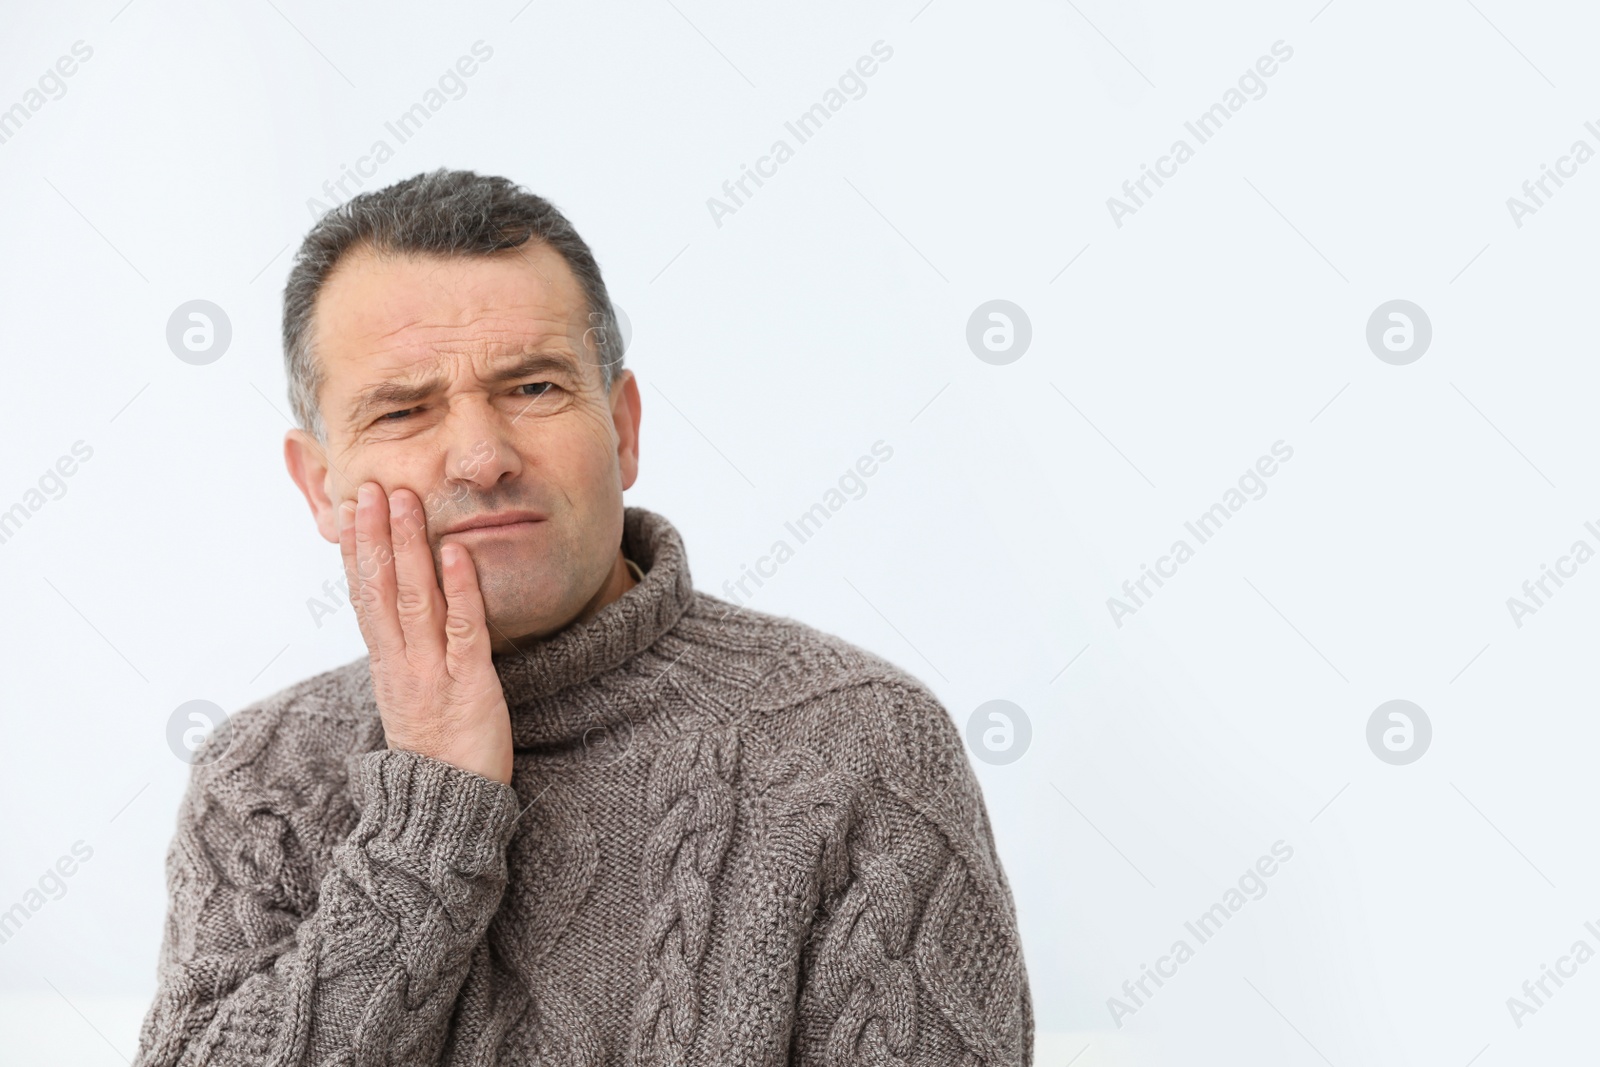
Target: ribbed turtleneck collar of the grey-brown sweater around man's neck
<point>537,677</point>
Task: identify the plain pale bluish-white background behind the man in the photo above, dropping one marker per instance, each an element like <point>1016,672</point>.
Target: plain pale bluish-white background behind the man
<point>830,313</point>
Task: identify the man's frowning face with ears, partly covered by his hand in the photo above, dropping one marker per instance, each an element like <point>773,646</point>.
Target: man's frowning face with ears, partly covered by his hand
<point>471,382</point>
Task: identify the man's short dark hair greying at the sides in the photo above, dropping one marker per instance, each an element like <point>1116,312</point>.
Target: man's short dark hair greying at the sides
<point>438,214</point>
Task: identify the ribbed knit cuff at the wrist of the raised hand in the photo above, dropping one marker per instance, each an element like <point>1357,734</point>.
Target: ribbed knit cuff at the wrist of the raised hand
<point>434,812</point>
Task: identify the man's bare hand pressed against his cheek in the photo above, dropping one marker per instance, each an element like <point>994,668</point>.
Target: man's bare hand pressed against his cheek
<point>436,685</point>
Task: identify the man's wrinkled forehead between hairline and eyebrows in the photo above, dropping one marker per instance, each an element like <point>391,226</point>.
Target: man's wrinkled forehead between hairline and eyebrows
<point>380,313</point>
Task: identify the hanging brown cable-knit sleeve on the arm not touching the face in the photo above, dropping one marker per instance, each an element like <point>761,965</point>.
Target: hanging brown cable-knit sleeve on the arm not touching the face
<point>916,961</point>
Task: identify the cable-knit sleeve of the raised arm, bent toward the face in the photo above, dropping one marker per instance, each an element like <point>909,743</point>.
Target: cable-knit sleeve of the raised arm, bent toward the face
<point>361,967</point>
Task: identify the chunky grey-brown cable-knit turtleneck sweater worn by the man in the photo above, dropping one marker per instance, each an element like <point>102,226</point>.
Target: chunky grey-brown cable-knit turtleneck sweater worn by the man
<point>729,839</point>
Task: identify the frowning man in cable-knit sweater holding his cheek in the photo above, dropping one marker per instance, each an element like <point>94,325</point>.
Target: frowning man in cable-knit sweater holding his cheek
<point>567,810</point>
